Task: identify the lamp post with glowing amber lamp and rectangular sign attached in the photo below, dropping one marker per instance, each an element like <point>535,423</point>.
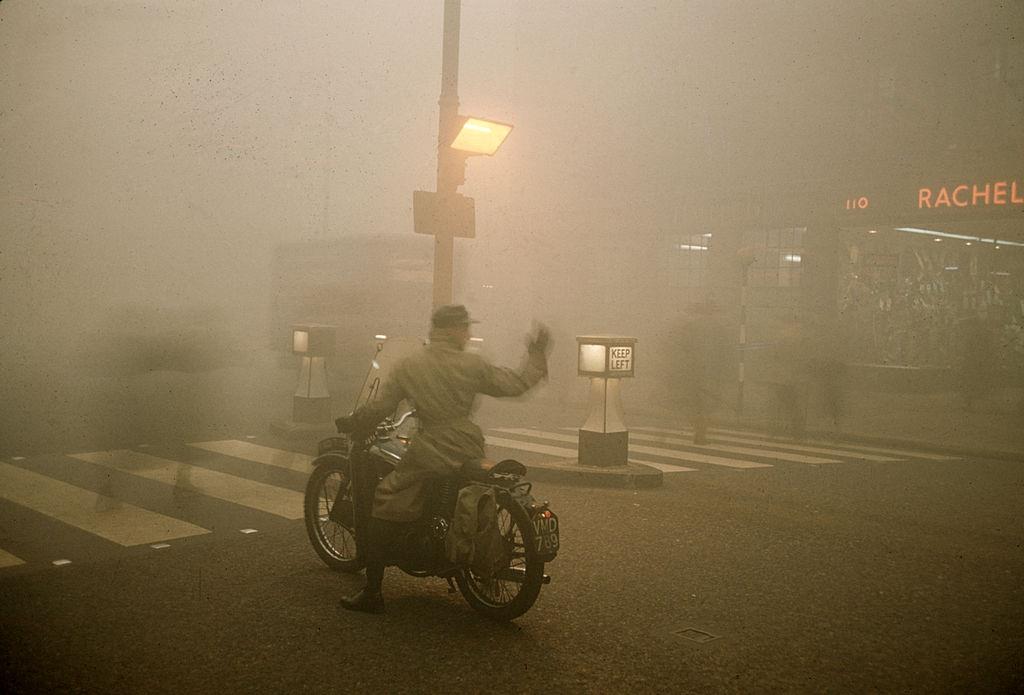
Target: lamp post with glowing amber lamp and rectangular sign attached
<point>446,214</point>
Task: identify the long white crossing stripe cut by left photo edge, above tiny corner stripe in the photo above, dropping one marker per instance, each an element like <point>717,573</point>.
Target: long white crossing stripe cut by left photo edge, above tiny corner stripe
<point>124,525</point>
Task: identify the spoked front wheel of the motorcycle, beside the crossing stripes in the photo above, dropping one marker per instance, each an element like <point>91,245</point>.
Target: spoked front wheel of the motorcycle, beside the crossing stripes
<point>330,515</point>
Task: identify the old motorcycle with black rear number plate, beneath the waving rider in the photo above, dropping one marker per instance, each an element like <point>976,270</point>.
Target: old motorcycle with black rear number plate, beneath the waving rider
<point>339,497</point>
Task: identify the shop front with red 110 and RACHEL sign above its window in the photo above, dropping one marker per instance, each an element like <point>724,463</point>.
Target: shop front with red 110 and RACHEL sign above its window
<point>931,278</point>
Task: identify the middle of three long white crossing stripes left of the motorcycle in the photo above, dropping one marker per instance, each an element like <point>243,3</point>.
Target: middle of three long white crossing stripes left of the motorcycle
<point>271,499</point>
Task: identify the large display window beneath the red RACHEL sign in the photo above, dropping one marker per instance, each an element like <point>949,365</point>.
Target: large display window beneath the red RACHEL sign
<point>915,302</point>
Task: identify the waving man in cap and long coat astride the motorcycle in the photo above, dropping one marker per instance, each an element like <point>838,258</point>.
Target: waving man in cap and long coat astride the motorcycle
<point>443,381</point>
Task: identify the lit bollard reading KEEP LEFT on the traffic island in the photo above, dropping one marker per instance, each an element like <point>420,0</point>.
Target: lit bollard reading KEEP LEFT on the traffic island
<point>607,360</point>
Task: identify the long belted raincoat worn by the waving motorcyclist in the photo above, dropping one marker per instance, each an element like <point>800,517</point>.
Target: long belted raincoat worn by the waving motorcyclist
<point>443,382</point>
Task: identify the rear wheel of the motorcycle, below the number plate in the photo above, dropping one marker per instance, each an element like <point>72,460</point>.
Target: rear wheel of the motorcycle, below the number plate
<point>513,591</point>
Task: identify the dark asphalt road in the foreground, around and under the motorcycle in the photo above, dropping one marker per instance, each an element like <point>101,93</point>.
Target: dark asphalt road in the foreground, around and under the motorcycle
<point>846,578</point>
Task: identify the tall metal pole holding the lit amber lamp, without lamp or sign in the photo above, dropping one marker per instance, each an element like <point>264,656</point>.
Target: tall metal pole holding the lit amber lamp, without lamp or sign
<point>449,177</point>
